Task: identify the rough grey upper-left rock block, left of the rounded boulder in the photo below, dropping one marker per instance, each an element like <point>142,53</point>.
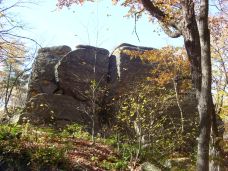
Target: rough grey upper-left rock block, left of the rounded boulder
<point>42,79</point>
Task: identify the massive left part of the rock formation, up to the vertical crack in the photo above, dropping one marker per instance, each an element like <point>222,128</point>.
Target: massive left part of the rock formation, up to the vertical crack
<point>65,84</point>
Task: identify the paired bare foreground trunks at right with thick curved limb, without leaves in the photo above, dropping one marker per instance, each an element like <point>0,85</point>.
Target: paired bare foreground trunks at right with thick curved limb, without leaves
<point>197,44</point>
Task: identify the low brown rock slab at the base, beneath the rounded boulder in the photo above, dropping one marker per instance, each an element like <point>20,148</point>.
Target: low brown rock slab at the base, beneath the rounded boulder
<point>55,109</point>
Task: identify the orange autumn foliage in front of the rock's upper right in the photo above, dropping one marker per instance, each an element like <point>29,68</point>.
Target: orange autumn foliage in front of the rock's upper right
<point>170,62</point>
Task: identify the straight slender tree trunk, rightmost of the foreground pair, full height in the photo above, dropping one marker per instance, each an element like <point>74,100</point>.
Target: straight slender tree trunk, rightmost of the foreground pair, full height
<point>204,107</point>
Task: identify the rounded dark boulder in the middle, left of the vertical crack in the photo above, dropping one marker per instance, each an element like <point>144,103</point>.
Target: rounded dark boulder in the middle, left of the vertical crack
<point>80,68</point>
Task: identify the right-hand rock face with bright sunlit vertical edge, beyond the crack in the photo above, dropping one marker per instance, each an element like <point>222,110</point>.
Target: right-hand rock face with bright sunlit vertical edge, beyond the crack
<point>125,71</point>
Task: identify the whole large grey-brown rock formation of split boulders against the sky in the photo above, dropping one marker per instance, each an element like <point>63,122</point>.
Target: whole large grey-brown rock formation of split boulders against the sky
<point>78,86</point>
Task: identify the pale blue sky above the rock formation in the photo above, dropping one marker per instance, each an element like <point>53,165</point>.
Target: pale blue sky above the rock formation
<point>101,25</point>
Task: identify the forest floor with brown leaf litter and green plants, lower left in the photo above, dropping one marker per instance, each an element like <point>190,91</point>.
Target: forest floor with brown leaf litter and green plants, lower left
<point>28,148</point>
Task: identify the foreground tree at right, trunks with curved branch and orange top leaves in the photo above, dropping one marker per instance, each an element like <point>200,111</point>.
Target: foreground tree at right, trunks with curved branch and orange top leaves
<point>187,18</point>
